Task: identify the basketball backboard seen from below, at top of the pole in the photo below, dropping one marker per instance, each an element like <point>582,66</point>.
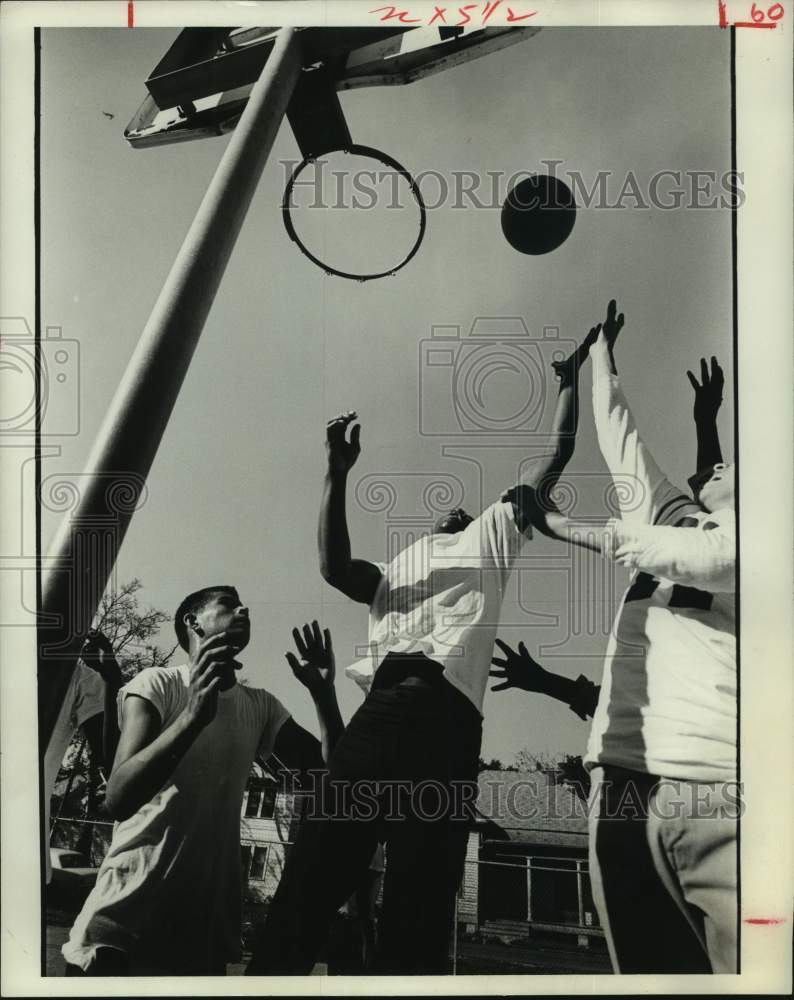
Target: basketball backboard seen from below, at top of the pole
<point>201,85</point>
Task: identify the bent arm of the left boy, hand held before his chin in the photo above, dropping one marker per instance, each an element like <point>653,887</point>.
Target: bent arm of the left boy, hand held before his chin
<point>147,754</point>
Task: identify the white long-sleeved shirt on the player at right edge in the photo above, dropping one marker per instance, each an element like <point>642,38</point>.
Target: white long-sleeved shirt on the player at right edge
<point>668,695</point>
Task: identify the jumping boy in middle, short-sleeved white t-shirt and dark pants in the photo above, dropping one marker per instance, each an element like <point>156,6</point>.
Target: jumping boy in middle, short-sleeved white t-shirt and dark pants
<point>411,749</point>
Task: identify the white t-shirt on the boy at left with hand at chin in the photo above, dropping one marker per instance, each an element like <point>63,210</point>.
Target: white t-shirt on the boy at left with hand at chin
<point>170,887</point>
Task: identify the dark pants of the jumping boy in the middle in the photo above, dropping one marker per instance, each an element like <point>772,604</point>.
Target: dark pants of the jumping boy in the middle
<point>404,771</point>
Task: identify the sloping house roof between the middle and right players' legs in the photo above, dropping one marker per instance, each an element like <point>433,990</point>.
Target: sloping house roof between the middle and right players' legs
<point>533,807</point>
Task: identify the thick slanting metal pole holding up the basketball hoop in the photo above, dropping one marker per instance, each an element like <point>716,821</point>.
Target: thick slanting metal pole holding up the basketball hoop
<point>85,549</point>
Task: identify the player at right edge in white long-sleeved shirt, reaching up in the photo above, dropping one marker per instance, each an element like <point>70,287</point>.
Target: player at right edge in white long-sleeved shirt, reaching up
<point>662,750</point>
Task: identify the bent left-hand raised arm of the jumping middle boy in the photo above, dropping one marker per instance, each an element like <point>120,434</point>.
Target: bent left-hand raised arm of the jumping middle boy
<point>356,578</point>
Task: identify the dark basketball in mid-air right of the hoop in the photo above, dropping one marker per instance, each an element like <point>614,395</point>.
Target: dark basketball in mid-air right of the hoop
<point>538,214</point>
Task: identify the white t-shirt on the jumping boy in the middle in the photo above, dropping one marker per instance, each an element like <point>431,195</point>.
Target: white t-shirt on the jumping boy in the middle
<point>442,596</point>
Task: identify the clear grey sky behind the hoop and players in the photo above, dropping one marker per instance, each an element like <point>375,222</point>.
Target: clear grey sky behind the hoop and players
<point>234,490</point>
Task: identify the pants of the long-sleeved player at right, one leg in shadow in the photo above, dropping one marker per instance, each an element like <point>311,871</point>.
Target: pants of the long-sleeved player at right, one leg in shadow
<point>663,866</point>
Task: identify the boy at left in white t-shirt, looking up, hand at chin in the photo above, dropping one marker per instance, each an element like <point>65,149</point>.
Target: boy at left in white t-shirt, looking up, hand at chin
<point>168,895</point>
